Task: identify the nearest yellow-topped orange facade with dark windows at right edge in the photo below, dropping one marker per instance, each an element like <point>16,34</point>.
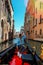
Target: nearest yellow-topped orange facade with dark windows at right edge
<point>38,23</point>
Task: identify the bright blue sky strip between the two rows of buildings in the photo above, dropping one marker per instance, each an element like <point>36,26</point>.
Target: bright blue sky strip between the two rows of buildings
<point>19,7</point>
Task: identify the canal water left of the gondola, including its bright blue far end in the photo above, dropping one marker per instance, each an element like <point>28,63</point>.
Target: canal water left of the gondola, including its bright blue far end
<point>8,44</point>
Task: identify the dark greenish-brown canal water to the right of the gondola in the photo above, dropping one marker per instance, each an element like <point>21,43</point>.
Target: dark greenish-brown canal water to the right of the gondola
<point>37,46</point>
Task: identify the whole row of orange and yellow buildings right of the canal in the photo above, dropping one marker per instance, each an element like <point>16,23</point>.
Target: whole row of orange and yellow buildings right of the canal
<point>34,19</point>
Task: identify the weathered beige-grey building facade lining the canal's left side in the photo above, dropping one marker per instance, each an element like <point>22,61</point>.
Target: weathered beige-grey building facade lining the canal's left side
<point>6,20</point>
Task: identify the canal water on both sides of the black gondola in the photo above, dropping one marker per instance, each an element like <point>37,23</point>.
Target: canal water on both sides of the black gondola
<point>34,44</point>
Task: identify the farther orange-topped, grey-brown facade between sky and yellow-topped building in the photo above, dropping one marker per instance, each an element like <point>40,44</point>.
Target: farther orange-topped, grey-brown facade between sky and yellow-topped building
<point>29,17</point>
